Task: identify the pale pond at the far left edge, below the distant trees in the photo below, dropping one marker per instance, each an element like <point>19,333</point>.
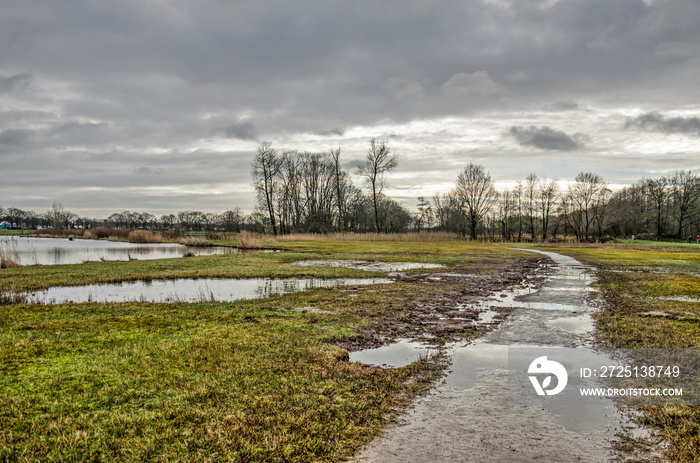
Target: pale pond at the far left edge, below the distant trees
<point>55,251</point>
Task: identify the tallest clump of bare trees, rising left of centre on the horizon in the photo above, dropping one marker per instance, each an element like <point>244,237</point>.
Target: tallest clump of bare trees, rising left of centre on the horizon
<point>302,192</point>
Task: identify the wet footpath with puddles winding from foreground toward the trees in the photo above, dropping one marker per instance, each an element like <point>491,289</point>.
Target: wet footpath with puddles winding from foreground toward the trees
<point>468,417</point>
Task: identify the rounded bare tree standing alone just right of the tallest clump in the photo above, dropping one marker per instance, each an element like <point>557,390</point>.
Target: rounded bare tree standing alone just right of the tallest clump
<point>476,193</point>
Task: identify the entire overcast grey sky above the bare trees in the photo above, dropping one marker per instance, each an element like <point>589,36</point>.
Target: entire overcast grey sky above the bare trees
<point>158,106</point>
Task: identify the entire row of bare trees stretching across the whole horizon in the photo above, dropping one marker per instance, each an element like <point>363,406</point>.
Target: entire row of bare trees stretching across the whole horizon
<point>301,192</point>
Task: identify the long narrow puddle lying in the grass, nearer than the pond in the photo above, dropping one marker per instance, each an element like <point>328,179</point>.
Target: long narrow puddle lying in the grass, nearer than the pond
<point>190,290</point>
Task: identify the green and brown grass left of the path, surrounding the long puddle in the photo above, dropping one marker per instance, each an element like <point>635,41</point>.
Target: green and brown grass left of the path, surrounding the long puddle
<point>243,381</point>
